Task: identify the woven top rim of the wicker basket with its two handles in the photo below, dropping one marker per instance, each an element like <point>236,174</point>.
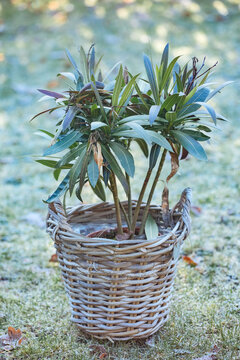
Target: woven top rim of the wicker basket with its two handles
<point>63,225</point>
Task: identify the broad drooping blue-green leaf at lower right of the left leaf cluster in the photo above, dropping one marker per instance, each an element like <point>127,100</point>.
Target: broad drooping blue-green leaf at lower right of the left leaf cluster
<point>124,156</point>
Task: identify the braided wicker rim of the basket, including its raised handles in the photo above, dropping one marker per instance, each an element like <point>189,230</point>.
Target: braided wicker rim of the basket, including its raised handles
<point>59,222</point>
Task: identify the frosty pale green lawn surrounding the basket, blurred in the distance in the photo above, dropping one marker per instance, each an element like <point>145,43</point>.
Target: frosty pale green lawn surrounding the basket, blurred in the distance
<point>205,310</point>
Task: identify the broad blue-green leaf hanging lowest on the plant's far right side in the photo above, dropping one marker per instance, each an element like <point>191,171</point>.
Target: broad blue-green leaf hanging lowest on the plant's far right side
<point>191,145</point>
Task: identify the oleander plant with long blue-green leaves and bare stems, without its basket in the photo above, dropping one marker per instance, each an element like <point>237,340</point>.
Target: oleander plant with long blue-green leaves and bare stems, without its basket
<point>166,111</point>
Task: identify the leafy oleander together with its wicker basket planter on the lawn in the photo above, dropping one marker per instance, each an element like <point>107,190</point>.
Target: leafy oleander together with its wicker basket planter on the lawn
<point>119,277</point>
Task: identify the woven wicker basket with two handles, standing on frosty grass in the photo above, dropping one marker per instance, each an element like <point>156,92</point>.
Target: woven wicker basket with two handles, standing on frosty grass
<point>118,290</point>
